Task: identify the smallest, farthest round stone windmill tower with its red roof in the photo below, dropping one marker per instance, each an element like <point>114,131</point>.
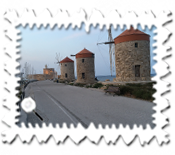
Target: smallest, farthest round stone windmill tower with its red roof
<point>67,69</point>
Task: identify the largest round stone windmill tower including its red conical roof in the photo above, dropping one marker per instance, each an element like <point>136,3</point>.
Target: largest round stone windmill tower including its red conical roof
<point>132,56</point>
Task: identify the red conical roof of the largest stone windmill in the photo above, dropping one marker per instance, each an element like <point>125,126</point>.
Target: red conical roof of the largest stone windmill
<point>131,35</point>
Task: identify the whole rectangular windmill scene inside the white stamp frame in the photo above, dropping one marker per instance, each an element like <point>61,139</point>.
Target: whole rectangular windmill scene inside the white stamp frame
<point>103,77</point>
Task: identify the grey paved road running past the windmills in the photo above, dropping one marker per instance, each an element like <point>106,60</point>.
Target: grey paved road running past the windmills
<point>58,103</point>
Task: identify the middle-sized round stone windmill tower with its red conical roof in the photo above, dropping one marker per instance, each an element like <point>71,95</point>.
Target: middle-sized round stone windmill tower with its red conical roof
<point>85,67</point>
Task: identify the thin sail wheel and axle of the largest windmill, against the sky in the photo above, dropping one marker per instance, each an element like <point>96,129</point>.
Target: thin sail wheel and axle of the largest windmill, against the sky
<point>111,48</point>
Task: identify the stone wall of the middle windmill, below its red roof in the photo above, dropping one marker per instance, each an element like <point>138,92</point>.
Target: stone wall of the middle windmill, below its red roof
<point>86,67</point>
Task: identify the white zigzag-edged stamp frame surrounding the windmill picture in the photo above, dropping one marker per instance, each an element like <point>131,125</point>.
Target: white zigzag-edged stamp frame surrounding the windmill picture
<point>92,133</point>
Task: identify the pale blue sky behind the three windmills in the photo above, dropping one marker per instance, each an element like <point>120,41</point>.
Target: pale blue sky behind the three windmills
<point>39,46</point>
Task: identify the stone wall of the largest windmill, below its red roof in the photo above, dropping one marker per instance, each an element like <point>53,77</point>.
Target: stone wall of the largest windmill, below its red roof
<point>127,56</point>
